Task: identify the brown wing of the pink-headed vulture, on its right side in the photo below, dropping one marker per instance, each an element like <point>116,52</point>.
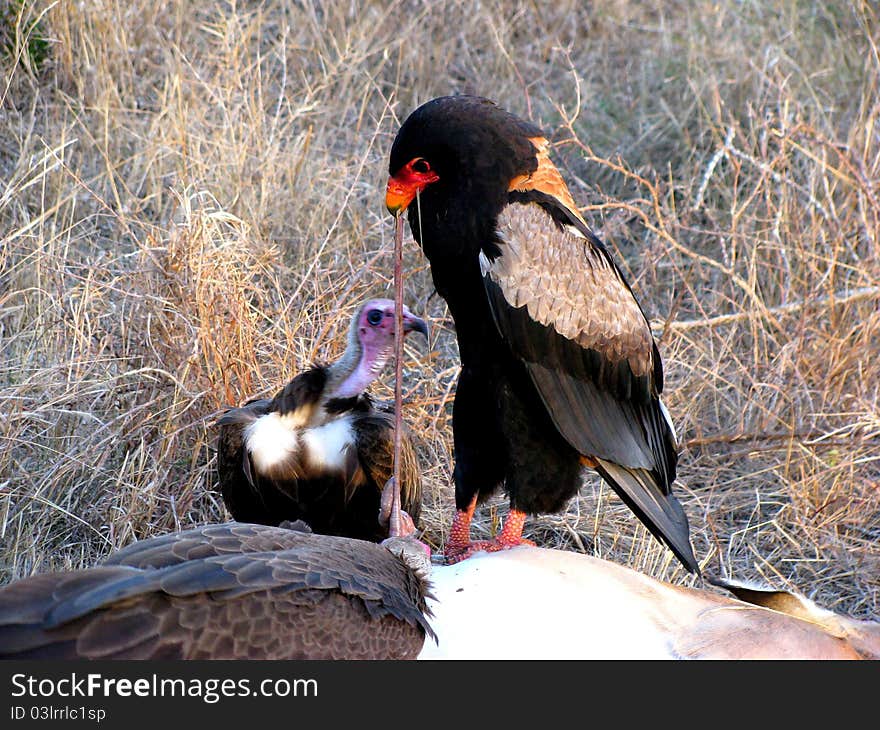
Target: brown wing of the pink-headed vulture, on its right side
<point>374,437</point>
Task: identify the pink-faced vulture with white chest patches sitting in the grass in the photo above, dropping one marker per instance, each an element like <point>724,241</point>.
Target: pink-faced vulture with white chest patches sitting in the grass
<point>321,450</point>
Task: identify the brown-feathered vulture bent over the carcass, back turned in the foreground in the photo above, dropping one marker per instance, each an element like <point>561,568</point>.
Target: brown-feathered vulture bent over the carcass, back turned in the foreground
<point>227,591</point>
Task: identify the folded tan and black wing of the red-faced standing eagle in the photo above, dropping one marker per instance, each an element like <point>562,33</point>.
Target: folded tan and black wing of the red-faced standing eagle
<point>564,308</point>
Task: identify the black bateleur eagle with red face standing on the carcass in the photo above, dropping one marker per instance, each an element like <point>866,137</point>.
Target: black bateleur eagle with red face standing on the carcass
<point>559,368</point>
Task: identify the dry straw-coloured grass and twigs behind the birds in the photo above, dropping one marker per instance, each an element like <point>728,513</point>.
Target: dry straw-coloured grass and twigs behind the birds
<point>191,207</point>
